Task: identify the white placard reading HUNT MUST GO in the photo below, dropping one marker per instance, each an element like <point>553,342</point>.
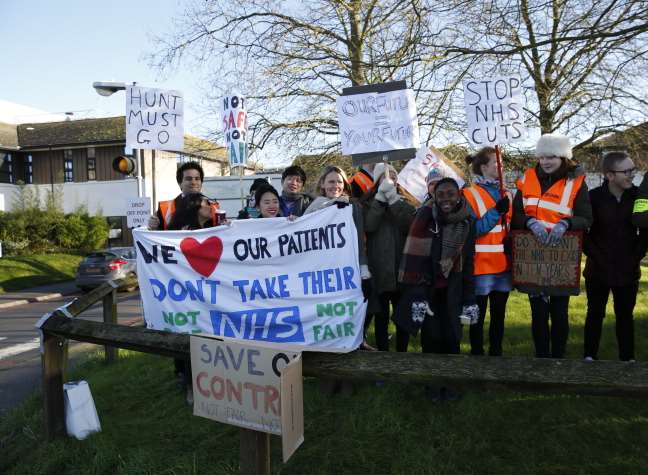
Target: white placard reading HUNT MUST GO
<point>154,119</point>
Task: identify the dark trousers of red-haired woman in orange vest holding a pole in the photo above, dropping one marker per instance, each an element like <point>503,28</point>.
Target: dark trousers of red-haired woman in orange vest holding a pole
<point>496,328</point>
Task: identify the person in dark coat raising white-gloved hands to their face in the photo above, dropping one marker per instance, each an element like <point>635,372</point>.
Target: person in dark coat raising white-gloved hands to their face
<point>387,218</point>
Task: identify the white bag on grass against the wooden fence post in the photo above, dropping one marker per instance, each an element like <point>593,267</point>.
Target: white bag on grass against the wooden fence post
<point>81,417</point>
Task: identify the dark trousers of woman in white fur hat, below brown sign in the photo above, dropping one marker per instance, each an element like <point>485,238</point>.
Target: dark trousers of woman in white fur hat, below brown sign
<point>550,343</point>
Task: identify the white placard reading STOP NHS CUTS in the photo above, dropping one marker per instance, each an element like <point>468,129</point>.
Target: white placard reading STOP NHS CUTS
<point>495,110</point>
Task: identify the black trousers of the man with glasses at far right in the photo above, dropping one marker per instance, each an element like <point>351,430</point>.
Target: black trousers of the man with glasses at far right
<point>625,298</point>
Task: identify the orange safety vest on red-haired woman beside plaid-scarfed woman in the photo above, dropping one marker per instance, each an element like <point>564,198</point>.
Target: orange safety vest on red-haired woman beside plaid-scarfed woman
<point>489,248</point>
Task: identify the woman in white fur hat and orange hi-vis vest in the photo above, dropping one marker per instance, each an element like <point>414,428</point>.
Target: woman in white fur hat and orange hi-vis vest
<point>552,198</point>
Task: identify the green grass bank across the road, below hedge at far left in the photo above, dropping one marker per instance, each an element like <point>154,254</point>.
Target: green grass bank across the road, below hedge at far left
<point>23,272</point>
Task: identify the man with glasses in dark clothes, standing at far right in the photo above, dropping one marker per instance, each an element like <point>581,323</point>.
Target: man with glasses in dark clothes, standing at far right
<point>614,250</point>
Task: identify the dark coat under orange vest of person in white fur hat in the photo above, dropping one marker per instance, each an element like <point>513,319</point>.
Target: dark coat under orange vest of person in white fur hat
<point>581,220</point>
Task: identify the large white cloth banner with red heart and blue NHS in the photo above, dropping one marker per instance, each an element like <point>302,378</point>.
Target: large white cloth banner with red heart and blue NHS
<point>270,280</point>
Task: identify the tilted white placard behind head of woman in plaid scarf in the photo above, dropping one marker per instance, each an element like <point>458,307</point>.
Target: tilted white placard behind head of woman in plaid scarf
<point>413,175</point>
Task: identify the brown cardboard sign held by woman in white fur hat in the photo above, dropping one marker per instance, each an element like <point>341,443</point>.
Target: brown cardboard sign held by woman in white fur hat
<point>546,266</point>
